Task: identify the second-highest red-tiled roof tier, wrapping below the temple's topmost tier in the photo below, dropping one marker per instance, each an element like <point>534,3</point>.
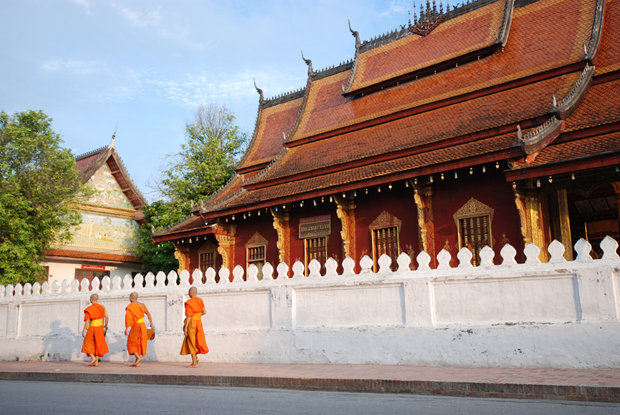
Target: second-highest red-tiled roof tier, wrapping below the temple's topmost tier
<point>532,48</point>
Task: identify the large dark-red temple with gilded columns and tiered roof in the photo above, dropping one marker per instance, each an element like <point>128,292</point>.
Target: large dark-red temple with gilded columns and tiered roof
<point>490,123</point>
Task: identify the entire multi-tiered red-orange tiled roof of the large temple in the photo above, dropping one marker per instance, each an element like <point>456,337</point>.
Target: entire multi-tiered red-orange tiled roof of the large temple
<point>493,80</point>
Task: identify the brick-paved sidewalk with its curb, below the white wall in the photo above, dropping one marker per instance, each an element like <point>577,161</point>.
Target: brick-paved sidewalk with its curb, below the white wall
<point>585,385</point>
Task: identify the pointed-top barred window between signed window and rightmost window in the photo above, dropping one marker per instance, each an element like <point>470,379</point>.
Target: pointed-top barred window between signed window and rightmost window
<point>385,231</point>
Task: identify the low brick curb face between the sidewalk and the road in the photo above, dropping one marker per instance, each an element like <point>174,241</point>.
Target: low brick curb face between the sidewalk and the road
<point>445,388</point>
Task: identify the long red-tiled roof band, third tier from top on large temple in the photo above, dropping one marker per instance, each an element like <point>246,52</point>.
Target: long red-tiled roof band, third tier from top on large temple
<point>507,107</point>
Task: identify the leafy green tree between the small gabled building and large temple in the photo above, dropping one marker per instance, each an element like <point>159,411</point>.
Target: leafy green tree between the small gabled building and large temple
<point>204,164</point>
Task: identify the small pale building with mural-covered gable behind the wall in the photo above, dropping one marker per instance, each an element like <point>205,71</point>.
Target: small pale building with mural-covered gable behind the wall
<point>105,242</point>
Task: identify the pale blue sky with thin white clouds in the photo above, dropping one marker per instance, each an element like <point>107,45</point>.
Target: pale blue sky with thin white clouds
<point>148,65</point>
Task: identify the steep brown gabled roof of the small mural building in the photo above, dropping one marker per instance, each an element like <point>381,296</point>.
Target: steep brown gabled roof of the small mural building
<point>88,163</point>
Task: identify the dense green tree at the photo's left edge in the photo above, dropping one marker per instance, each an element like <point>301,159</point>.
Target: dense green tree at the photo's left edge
<point>38,181</point>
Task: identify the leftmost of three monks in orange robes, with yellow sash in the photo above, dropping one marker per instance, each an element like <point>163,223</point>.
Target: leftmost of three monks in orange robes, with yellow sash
<point>96,321</point>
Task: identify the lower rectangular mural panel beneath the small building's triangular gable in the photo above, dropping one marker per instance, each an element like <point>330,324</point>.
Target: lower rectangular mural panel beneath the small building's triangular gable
<point>106,233</point>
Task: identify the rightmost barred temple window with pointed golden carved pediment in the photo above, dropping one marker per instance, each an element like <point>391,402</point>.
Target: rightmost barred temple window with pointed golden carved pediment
<point>473,222</point>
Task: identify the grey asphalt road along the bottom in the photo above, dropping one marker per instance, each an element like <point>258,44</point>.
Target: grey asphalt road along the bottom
<point>38,398</point>
